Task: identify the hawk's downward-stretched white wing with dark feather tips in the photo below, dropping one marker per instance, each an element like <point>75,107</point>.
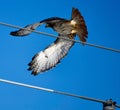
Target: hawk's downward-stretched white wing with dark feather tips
<point>51,56</point>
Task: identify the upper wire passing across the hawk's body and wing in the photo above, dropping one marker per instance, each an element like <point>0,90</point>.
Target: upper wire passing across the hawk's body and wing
<point>51,35</point>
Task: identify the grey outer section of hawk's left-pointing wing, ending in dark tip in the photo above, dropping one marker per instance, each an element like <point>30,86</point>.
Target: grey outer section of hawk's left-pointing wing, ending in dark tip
<point>26,30</point>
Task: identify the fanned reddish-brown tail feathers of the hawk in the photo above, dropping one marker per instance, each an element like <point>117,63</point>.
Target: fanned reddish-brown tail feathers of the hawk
<point>81,26</point>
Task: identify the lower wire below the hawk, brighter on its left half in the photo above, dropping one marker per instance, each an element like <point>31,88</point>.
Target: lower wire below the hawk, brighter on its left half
<point>54,91</point>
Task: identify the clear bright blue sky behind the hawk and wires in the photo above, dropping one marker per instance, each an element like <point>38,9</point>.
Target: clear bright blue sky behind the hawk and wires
<point>86,71</point>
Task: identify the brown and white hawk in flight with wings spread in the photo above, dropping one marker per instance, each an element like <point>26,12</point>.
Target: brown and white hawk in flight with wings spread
<point>51,56</point>
